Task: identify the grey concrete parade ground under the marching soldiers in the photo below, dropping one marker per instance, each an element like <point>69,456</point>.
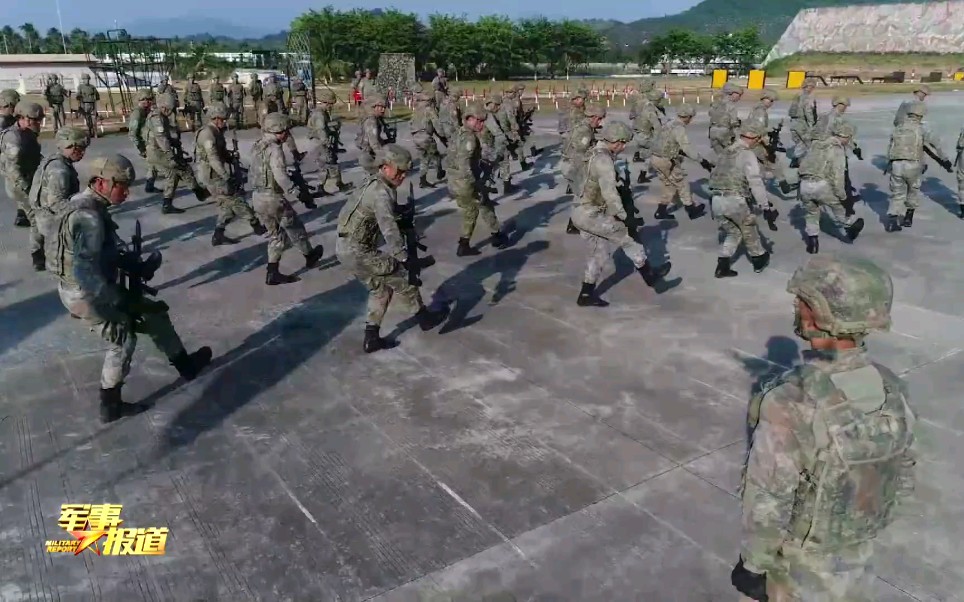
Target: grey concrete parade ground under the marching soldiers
<point>530,449</point>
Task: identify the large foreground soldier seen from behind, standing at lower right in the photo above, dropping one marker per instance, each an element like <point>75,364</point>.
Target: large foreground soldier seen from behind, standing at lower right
<point>832,451</point>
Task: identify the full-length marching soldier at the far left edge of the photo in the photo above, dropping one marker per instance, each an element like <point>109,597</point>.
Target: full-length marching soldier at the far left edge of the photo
<point>19,158</point>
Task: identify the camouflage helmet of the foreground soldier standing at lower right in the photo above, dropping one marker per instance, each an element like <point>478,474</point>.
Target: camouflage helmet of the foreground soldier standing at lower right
<point>848,295</point>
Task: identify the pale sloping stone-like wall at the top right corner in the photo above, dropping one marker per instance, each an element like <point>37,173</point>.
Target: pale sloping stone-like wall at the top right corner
<point>928,27</point>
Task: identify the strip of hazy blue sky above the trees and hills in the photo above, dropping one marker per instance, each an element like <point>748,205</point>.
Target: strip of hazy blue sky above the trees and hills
<point>97,15</point>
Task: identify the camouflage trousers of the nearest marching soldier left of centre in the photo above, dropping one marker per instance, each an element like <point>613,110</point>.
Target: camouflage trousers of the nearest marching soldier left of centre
<point>383,276</point>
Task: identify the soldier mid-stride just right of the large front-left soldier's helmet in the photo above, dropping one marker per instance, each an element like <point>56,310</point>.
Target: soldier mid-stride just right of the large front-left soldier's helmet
<point>163,153</point>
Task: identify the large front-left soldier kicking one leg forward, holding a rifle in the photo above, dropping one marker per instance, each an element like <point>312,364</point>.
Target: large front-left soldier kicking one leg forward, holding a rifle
<point>85,253</point>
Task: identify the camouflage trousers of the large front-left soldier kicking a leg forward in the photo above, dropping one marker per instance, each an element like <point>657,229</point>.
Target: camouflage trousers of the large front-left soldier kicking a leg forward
<point>119,332</point>
